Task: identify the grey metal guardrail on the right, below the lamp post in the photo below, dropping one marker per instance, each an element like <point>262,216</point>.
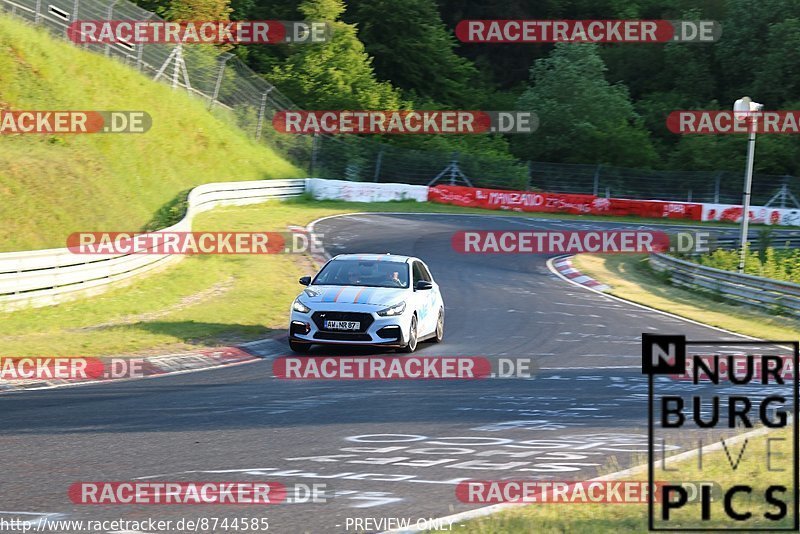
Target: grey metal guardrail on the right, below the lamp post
<point>743,288</point>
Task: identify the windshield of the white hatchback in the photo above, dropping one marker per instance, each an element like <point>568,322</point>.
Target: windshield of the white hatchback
<point>364,273</point>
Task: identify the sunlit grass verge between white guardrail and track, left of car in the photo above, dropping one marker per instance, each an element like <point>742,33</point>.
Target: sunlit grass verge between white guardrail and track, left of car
<point>200,302</point>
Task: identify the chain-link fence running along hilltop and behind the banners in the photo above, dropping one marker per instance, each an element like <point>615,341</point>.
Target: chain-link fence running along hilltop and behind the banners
<point>232,88</point>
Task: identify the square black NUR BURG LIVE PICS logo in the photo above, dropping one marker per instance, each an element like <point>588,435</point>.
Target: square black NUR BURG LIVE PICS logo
<point>732,406</point>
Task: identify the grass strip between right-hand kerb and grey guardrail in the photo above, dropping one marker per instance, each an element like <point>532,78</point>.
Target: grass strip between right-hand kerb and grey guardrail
<point>631,278</point>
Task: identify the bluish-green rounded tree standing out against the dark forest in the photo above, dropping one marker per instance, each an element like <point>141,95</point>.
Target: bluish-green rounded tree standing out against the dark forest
<point>582,118</point>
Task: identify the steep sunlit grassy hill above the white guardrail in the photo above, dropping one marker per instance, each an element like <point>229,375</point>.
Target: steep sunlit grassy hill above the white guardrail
<point>51,186</point>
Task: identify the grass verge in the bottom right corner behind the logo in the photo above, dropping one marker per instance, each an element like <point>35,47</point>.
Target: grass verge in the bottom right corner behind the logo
<point>598,518</point>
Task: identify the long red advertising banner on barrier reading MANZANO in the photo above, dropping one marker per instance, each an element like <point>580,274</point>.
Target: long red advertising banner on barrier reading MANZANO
<point>536,201</point>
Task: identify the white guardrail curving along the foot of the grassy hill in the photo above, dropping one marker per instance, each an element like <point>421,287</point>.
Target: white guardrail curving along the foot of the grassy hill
<point>44,277</point>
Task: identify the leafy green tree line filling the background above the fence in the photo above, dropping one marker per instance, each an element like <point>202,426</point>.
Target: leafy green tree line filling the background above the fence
<point>598,104</point>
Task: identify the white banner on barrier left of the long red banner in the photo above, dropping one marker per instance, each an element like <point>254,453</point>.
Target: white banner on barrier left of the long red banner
<point>365,191</point>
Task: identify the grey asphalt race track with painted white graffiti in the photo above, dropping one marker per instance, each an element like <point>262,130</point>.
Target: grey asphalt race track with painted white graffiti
<point>384,449</point>
